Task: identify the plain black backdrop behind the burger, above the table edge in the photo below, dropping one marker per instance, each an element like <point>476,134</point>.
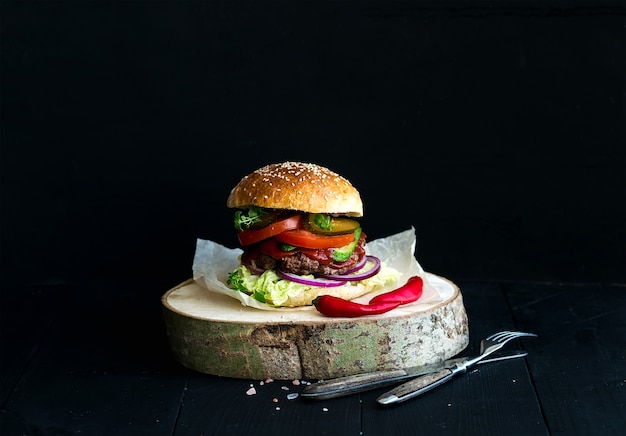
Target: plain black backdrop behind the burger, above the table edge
<point>496,129</point>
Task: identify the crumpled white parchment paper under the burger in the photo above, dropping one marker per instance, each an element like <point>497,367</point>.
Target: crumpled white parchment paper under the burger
<point>213,262</point>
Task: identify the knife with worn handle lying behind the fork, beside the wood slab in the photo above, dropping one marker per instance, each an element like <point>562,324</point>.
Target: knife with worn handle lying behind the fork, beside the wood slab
<point>352,384</point>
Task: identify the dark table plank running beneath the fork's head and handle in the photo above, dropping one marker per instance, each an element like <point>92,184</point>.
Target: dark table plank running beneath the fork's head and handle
<point>494,399</point>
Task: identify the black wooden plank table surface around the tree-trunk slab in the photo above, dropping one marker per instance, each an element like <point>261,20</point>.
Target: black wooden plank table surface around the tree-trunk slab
<point>94,360</point>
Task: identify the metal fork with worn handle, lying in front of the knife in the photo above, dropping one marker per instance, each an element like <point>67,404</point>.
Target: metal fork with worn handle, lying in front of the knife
<point>427,382</point>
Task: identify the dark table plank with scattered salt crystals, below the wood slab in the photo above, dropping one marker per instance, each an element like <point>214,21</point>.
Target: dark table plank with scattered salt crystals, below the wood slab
<point>214,405</point>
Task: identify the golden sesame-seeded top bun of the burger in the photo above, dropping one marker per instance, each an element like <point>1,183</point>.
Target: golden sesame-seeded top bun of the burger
<point>297,186</point>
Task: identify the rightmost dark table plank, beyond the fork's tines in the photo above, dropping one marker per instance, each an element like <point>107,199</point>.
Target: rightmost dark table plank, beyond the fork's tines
<point>578,362</point>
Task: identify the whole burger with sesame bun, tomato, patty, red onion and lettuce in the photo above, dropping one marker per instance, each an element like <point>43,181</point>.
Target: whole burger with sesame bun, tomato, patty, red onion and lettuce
<point>298,227</point>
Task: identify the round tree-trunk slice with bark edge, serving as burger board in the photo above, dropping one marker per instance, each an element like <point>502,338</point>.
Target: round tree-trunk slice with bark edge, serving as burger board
<point>215,334</point>
